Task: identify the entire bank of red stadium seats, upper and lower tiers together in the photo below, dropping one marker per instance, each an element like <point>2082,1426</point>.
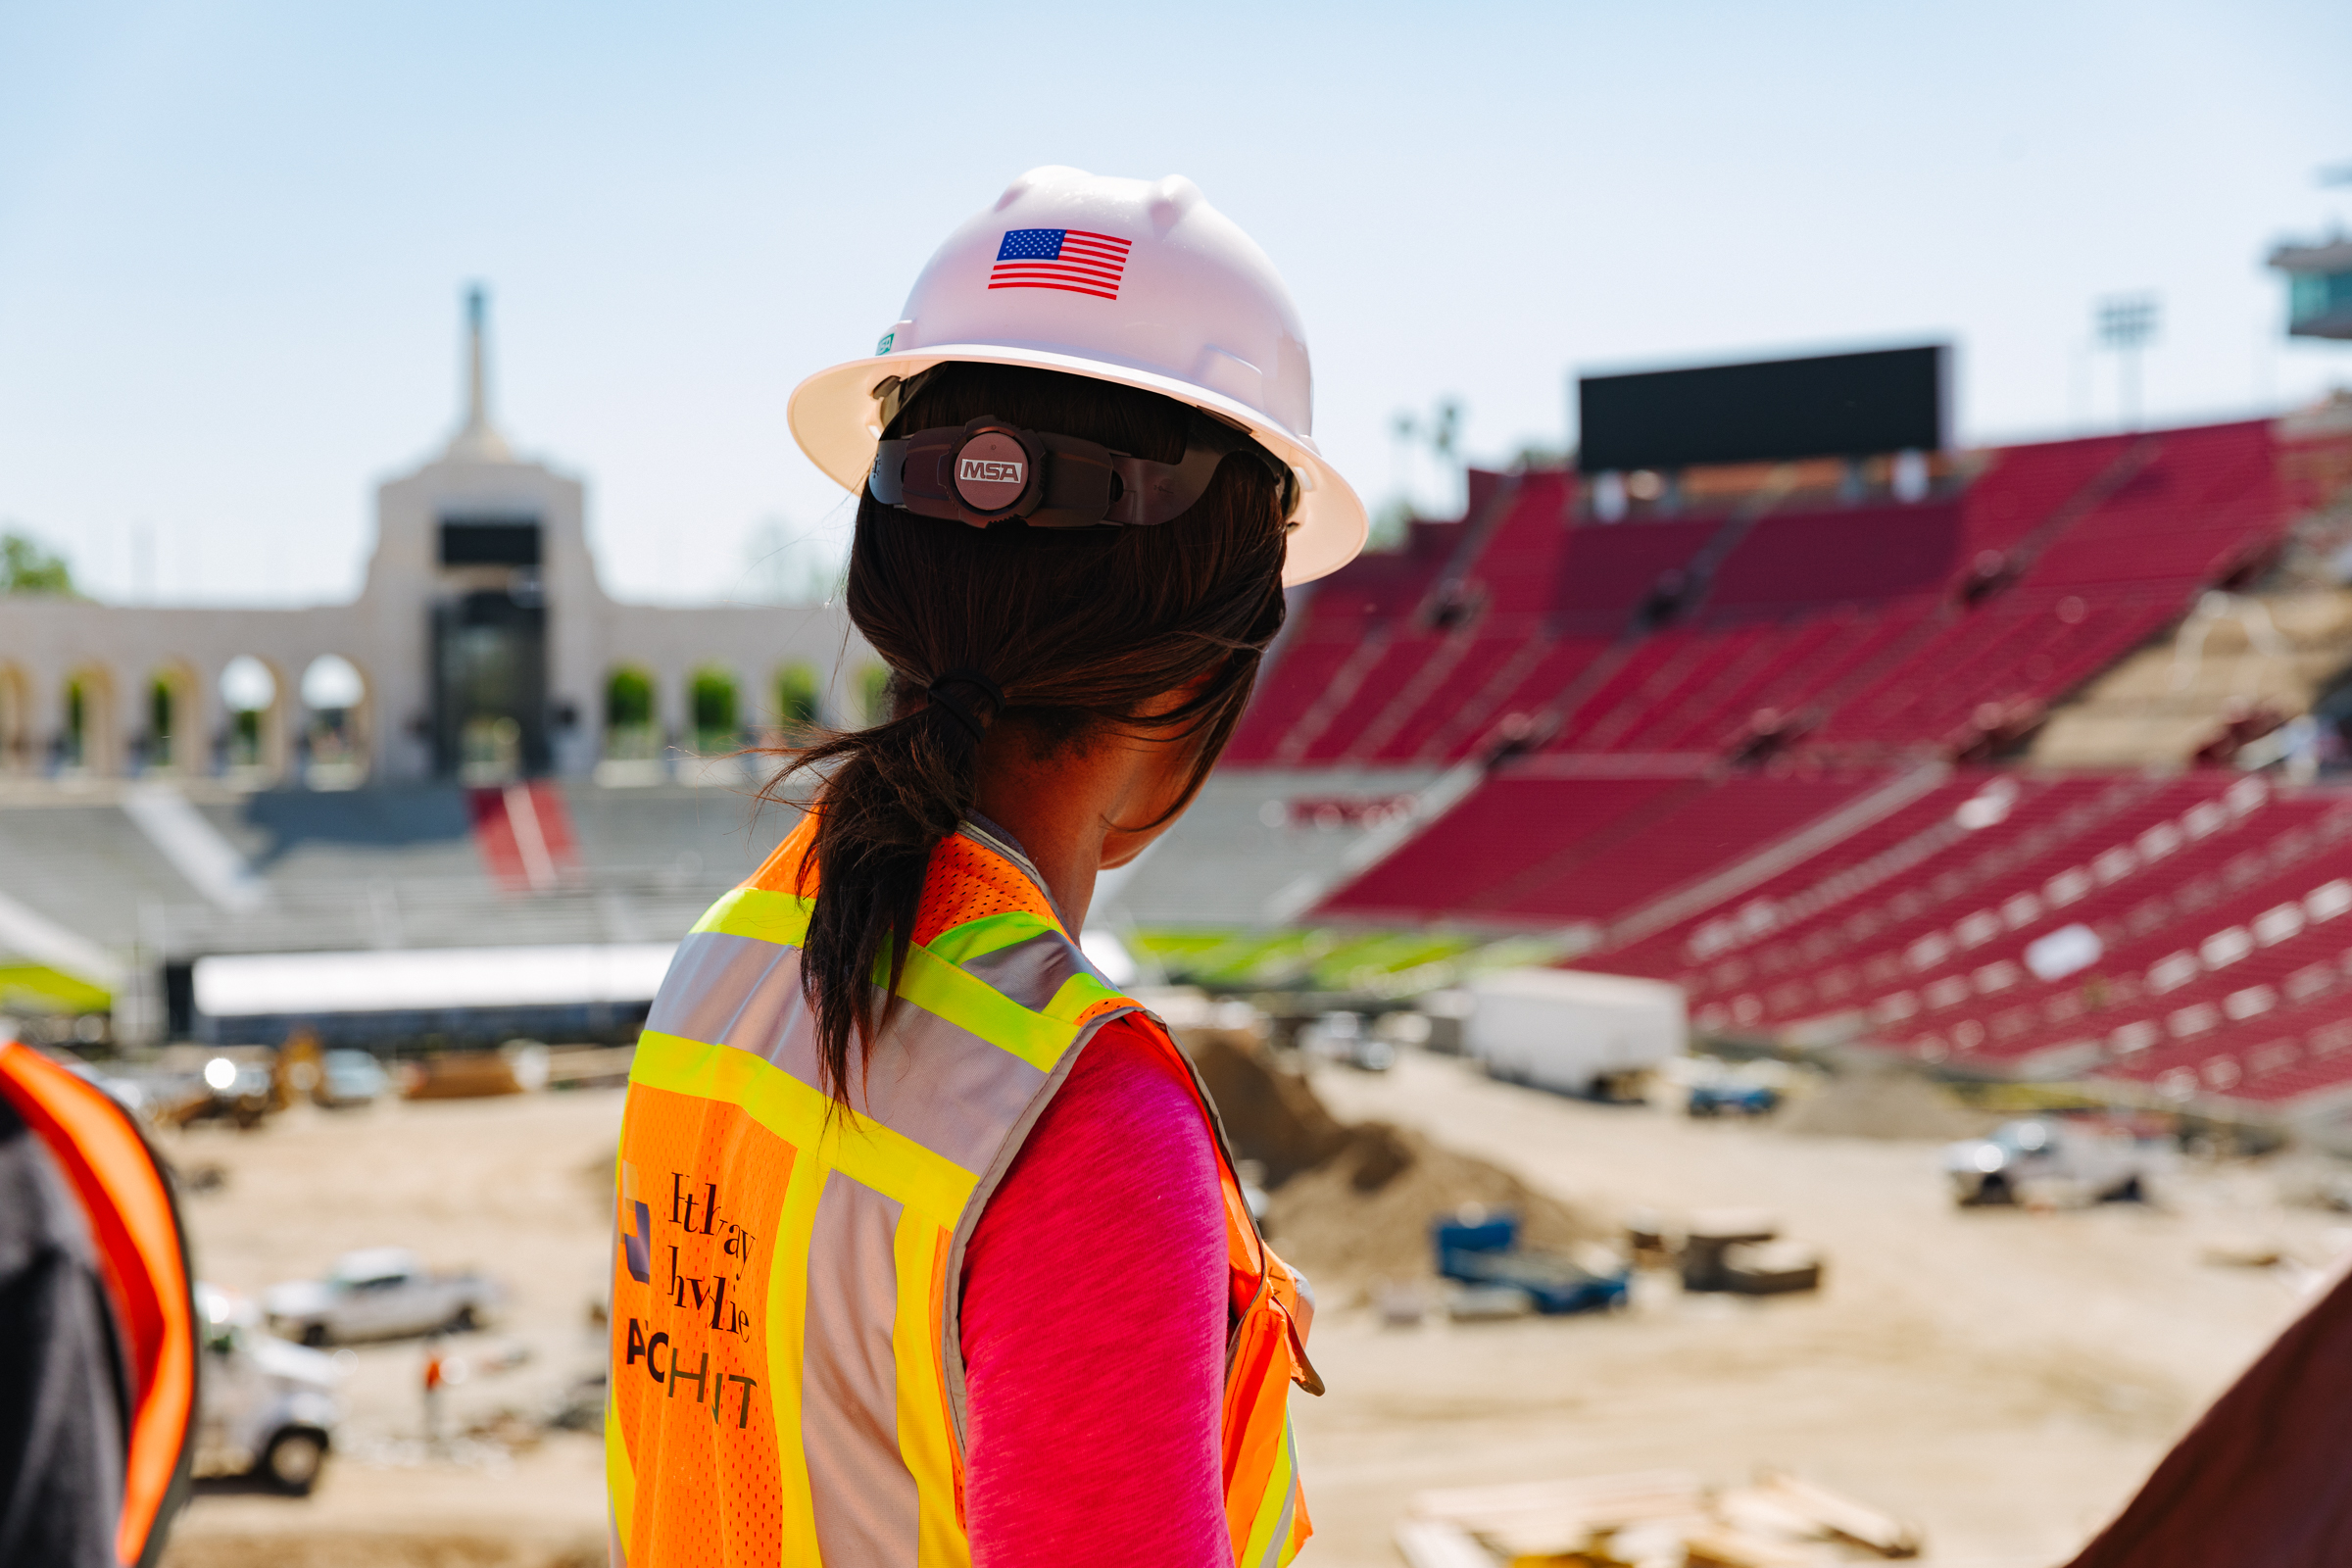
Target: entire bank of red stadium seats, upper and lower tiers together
<point>1746,751</point>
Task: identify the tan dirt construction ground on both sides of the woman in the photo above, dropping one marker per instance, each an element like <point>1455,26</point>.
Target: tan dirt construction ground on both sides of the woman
<point>2003,1379</point>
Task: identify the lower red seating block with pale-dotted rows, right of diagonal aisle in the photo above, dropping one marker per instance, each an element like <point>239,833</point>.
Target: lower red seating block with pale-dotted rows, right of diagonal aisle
<point>2170,930</point>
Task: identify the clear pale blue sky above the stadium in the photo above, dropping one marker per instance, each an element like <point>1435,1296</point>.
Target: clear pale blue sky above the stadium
<point>234,234</point>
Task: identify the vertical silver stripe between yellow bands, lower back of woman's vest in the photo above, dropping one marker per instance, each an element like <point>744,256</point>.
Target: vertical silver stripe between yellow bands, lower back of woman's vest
<point>860,1487</point>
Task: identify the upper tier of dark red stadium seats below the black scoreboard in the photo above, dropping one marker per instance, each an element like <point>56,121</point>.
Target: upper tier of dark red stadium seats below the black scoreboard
<point>1843,634</point>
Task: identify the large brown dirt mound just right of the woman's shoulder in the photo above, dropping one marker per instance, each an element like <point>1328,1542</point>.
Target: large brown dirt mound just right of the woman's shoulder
<point>1356,1202</point>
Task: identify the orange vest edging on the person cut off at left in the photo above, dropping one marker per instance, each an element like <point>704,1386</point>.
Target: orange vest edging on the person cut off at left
<point>145,1264</point>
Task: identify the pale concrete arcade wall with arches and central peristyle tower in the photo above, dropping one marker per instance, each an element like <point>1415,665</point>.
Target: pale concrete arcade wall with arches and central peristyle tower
<point>121,652</point>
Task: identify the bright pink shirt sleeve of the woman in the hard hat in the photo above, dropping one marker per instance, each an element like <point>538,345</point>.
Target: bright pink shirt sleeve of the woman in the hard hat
<point>1095,1329</point>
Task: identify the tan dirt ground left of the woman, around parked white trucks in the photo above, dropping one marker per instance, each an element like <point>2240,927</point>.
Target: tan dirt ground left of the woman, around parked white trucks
<point>493,1184</point>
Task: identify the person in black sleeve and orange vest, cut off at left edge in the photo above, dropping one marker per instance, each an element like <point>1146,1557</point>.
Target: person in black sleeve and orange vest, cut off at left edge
<point>98,1332</point>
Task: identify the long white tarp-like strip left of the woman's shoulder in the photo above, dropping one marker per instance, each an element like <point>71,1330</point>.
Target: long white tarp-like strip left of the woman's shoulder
<point>427,979</point>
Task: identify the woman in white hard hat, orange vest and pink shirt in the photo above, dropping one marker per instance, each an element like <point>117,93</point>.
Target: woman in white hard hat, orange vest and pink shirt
<point>930,1245</point>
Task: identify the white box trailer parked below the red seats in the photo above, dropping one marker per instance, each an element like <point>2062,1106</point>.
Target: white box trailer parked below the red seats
<point>1572,1031</point>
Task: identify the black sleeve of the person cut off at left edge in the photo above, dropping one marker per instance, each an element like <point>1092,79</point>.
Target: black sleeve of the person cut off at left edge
<point>62,1405</point>
